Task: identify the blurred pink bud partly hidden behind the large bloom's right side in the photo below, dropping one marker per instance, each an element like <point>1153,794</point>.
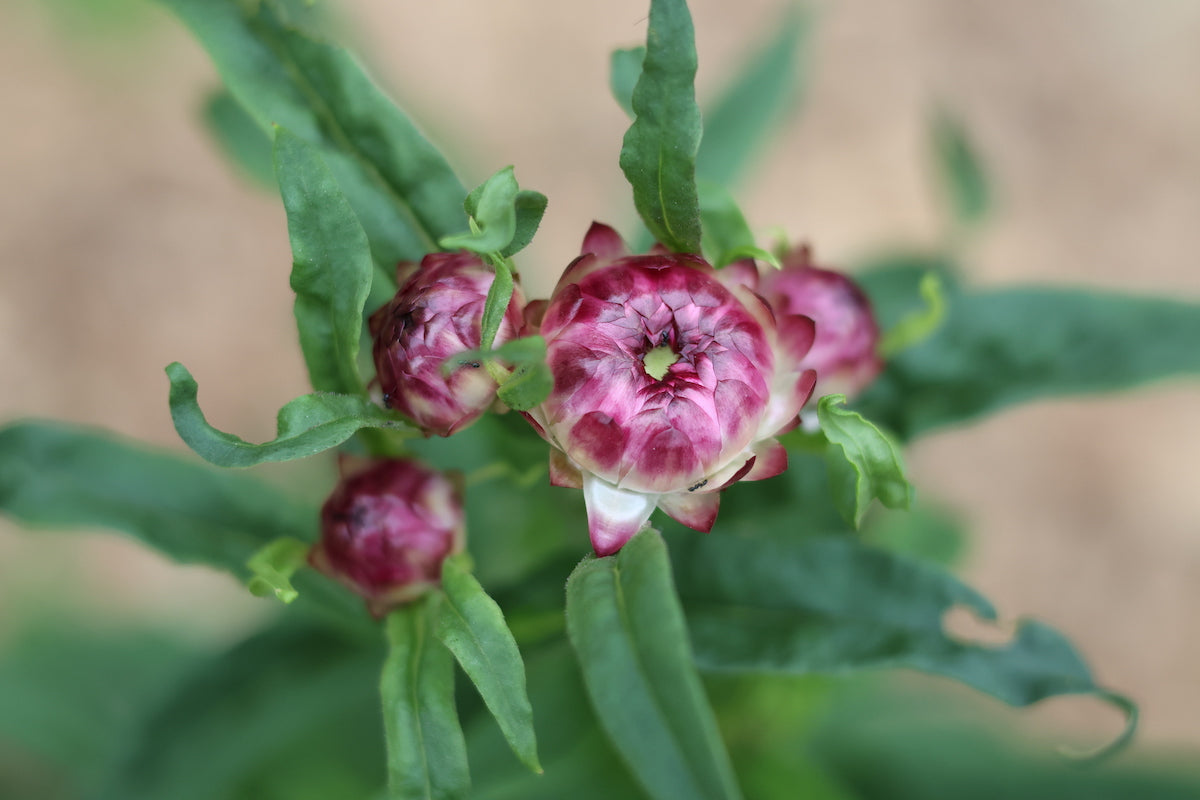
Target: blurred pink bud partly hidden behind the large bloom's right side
<point>844,353</point>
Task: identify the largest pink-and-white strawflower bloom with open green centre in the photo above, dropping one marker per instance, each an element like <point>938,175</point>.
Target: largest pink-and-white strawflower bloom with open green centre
<point>669,386</point>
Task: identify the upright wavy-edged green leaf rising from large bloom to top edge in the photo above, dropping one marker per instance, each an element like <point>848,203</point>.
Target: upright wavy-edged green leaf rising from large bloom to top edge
<point>659,152</point>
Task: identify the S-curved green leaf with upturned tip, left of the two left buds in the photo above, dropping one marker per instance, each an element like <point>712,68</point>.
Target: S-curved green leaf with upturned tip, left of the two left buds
<point>309,425</point>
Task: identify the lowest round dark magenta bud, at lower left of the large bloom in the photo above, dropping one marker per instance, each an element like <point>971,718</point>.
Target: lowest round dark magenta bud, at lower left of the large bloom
<point>387,530</point>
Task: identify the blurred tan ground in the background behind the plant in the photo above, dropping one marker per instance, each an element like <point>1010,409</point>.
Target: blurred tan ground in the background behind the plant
<point>127,243</point>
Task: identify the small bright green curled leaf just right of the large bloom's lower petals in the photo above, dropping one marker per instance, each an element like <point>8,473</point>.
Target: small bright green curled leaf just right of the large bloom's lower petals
<point>865,462</point>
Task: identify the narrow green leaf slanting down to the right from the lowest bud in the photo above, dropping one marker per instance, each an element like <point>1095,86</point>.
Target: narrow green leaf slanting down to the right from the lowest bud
<point>472,627</point>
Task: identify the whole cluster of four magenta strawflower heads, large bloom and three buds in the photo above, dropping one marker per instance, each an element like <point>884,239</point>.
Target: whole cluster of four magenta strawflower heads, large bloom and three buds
<point>671,382</point>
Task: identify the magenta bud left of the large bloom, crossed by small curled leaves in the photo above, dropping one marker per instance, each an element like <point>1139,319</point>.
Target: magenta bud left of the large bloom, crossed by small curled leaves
<point>435,316</point>
